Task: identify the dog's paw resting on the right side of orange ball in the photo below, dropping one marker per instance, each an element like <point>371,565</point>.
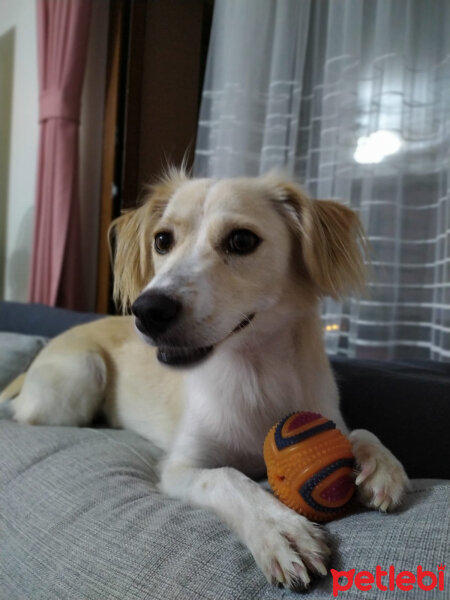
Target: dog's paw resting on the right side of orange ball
<point>382,481</point>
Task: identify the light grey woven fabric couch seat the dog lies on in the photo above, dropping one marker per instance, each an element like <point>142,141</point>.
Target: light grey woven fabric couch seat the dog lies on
<point>80,517</point>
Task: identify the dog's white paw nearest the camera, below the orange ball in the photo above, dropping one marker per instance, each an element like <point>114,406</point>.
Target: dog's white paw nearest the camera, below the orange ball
<point>289,549</point>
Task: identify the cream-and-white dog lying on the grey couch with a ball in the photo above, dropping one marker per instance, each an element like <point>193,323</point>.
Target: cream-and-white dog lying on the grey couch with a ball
<point>224,279</point>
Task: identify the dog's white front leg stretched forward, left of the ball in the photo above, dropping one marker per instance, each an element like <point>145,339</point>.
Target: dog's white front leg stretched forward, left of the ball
<point>284,544</point>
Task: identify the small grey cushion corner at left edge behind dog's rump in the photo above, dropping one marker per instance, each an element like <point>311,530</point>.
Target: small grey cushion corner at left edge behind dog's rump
<point>16,353</point>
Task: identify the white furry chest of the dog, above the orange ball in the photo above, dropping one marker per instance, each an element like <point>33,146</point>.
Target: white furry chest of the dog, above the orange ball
<point>236,403</point>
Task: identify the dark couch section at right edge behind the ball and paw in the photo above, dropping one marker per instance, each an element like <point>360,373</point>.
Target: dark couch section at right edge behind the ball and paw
<point>406,404</point>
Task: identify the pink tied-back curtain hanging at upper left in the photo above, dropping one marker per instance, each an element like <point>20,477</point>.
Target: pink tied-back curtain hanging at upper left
<point>63,29</point>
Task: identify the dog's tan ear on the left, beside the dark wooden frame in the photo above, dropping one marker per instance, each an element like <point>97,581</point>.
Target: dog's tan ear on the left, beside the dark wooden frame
<point>130,239</point>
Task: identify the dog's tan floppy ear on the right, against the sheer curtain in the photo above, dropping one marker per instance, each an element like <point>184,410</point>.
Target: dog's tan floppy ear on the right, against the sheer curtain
<point>332,241</point>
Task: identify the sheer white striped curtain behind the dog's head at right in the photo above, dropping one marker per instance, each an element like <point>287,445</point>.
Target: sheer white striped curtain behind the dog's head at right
<point>303,85</point>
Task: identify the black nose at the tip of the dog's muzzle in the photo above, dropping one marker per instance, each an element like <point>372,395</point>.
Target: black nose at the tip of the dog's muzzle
<point>155,312</point>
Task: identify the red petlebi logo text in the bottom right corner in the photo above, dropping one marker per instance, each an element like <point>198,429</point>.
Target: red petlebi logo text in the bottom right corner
<point>388,580</point>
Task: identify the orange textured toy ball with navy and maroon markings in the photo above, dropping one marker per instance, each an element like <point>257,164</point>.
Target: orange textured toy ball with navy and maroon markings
<point>310,465</point>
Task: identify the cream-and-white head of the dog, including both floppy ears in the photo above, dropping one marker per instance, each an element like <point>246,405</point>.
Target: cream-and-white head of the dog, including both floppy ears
<point>202,260</point>
